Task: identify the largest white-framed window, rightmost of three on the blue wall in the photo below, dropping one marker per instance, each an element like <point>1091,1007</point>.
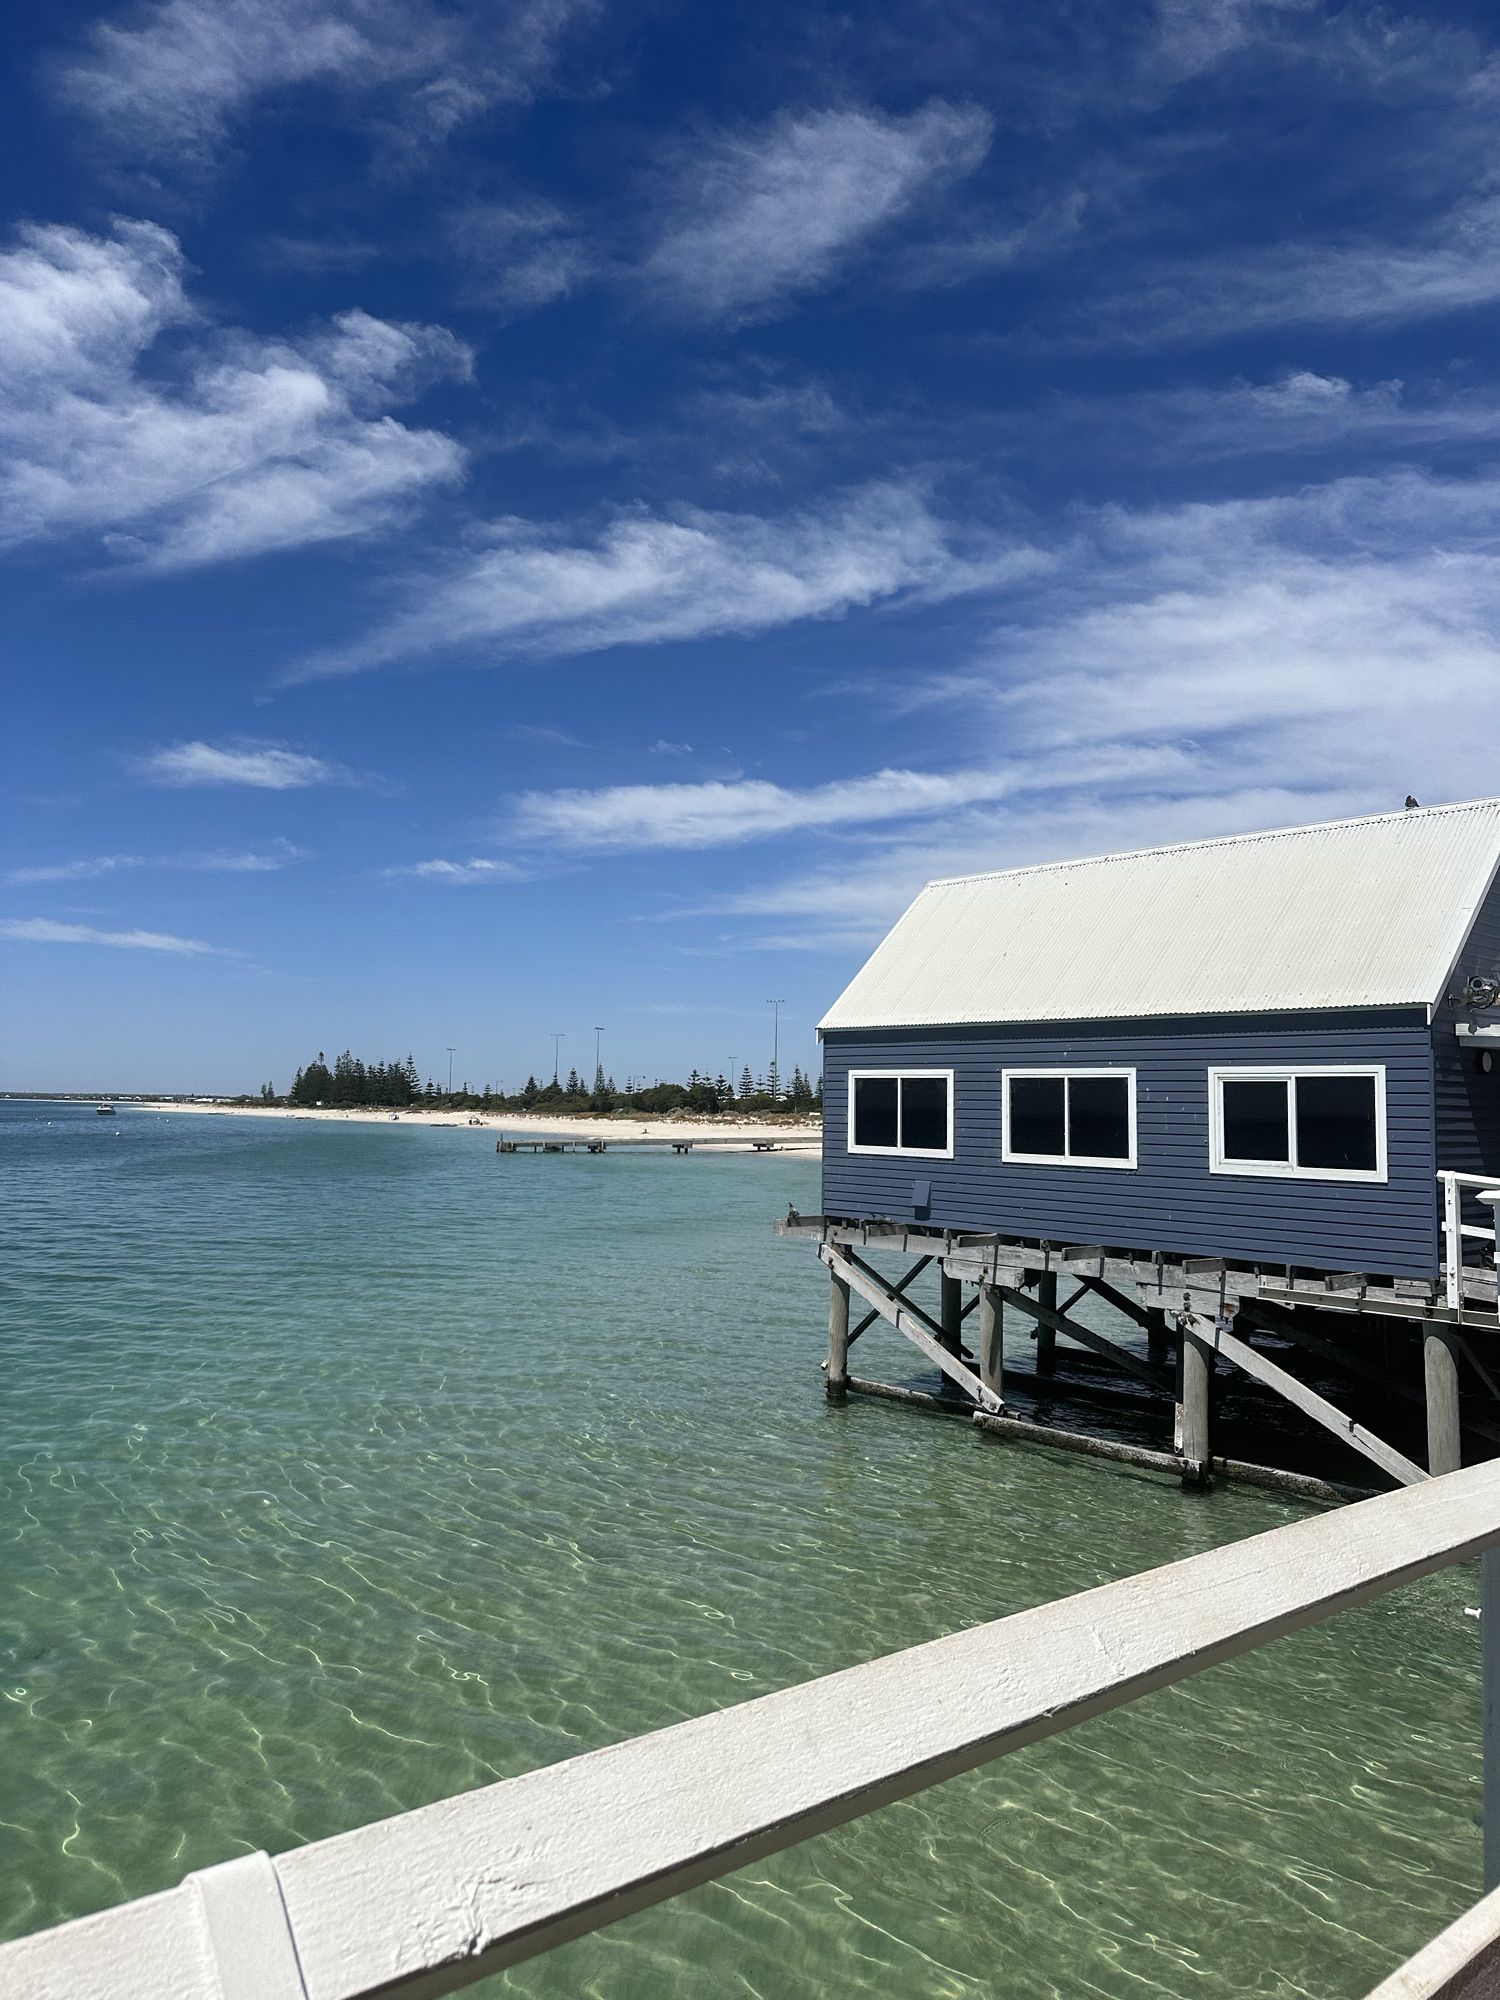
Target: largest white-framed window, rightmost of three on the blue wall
<point>1317,1123</point>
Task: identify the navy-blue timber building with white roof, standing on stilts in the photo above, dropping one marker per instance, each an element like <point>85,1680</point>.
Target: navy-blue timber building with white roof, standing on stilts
<point>1261,1049</point>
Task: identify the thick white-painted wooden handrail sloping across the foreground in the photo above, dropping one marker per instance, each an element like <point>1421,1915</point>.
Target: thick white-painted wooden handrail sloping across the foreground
<point>435,1899</point>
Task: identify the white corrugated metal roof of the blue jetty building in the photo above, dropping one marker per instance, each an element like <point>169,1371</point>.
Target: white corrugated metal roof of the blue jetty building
<point>1345,915</point>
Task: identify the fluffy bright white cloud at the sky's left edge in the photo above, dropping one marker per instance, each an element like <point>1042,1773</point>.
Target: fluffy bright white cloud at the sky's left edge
<point>237,447</point>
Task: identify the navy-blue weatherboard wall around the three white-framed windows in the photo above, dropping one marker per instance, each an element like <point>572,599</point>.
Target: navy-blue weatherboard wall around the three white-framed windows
<point>1171,1201</point>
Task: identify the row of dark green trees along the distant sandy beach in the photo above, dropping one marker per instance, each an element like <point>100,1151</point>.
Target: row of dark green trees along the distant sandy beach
<point>397,1085</point>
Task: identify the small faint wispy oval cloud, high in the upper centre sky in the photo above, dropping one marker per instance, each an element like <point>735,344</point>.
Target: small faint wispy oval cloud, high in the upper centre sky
<point>765,215</point>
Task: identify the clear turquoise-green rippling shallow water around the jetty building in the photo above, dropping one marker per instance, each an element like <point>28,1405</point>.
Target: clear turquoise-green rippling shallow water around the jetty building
<point>347,1467</point>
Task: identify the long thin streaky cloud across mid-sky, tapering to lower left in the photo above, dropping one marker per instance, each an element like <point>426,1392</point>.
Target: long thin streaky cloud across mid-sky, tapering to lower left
<point>651,579</point>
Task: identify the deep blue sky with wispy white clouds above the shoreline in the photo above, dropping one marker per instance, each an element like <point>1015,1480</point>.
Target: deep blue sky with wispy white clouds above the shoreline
<point>559,517</point>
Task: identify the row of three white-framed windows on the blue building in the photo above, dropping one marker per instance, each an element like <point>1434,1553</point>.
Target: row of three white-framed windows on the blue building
<point>1317,1123</point>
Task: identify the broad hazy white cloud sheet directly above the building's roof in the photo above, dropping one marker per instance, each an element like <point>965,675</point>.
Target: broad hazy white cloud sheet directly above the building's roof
<point>1181,673</point>
